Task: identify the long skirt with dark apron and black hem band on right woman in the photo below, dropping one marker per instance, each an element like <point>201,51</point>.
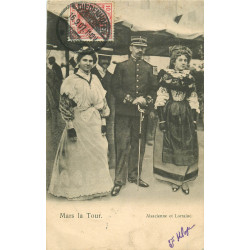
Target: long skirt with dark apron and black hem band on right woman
<point>176,150</point>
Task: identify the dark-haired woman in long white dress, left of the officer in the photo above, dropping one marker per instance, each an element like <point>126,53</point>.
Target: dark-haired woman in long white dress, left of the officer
<point>81,169</point>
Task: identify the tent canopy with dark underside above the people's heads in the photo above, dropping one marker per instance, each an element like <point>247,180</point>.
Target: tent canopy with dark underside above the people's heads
<point>155,23</point>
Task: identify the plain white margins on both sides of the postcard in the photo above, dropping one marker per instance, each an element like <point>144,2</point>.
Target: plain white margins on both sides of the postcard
<point>227,137</point>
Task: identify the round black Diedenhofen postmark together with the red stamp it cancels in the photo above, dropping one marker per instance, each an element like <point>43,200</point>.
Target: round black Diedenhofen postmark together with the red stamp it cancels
<point>85,24</point>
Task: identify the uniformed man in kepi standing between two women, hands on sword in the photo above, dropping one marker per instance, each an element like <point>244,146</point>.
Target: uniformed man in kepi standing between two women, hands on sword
<point>133,85</point>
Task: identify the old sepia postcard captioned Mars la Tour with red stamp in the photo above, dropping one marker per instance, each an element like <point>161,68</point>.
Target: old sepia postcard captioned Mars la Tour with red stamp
<point>125,125</point>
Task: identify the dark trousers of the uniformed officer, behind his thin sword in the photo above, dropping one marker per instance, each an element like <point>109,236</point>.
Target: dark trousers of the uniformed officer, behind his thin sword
<point>127,147</point>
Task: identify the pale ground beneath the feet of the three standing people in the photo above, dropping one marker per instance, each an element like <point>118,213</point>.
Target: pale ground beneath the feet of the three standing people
<point>158,189</point>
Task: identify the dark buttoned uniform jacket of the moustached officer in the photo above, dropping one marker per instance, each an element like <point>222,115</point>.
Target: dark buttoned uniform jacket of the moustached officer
<point>133,77</point>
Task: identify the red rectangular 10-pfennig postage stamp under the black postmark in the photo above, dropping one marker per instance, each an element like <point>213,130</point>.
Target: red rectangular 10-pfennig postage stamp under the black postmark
<point>91,22</point>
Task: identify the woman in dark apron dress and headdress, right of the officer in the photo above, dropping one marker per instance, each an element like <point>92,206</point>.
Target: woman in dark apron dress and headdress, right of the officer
<point>176,144</point>
